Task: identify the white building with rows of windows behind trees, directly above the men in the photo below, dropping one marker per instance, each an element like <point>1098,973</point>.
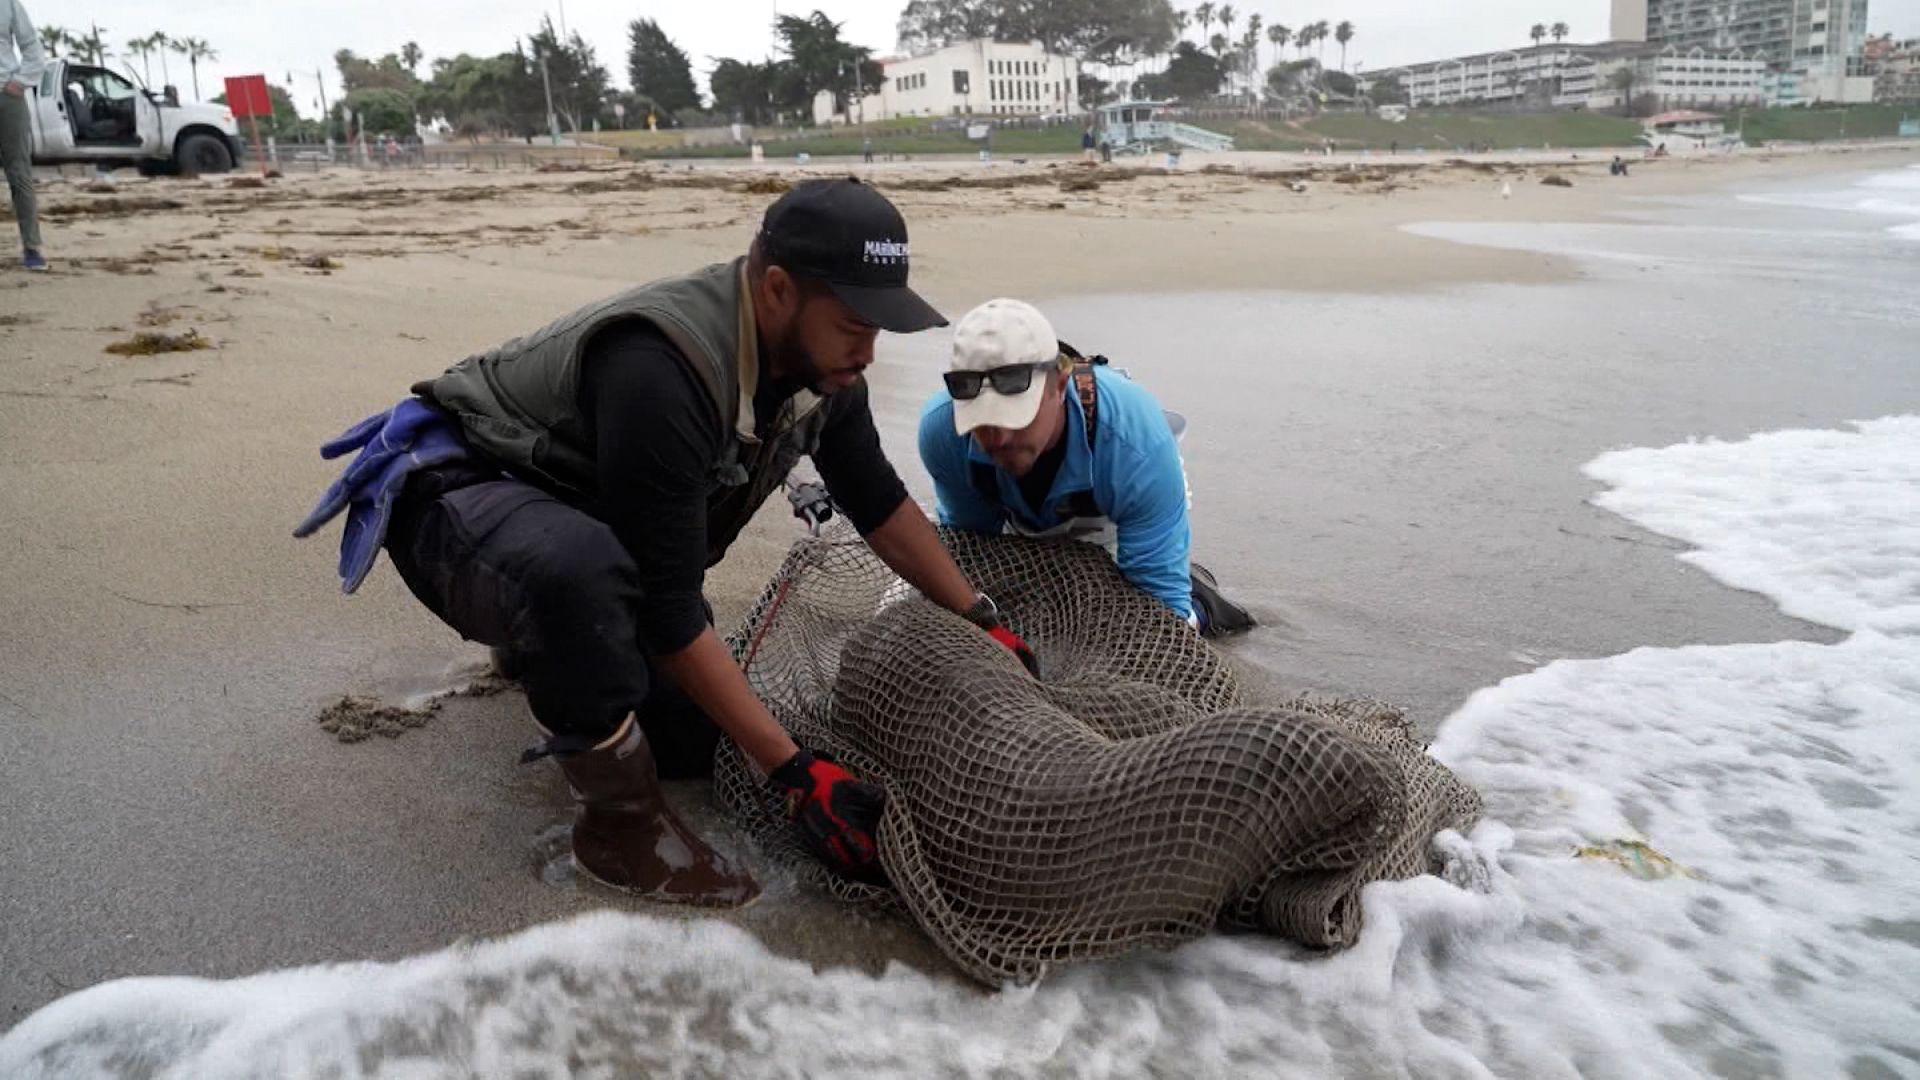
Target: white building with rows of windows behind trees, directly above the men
<point>978,78</point>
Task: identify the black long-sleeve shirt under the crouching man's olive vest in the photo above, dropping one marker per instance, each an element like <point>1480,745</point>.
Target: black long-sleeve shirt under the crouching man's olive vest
<point>656,441</point>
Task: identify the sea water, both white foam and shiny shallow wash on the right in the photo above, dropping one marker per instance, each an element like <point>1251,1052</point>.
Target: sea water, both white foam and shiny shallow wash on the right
<point>1621,541</point>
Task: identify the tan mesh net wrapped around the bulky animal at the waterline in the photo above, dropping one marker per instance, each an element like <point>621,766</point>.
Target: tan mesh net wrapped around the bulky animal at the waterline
<point>1126,798</point>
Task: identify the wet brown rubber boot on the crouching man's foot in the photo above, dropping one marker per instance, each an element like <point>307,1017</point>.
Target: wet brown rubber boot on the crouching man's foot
<point>631,841</point>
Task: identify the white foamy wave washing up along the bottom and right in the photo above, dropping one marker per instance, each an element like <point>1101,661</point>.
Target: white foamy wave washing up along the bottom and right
<point>1698,868</point>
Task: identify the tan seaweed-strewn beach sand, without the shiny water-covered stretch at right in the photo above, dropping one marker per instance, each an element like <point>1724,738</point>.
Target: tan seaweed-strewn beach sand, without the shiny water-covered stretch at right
<point>168,800</point>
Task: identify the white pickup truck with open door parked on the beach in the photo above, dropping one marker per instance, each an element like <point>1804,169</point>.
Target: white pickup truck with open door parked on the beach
<point>85,114</point>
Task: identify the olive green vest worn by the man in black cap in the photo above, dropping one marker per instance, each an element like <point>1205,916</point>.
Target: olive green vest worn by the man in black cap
<point>521,403</point>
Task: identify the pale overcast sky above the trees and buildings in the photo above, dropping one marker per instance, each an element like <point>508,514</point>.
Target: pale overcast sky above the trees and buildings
<point>279,37</point>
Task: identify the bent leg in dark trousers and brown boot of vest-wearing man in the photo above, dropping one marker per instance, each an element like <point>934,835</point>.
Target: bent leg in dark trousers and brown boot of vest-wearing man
<point>510,566</point>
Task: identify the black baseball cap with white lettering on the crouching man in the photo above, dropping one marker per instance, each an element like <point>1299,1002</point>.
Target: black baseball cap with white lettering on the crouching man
<point>855,241</point>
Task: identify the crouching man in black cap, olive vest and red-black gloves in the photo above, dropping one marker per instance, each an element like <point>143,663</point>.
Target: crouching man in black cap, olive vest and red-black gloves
<point>562,497</point>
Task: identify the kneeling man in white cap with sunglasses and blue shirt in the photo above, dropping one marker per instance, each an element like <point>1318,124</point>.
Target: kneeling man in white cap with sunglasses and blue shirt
<point>1030,437</point>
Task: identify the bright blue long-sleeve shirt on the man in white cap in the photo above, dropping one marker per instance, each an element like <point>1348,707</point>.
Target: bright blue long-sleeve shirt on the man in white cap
<point>1134,474</point>
